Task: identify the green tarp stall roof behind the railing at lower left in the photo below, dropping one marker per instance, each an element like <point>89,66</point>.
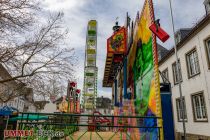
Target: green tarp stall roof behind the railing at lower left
<point>29,117</point>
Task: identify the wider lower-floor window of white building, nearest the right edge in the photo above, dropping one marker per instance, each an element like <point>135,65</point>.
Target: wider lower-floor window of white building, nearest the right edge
<point>199,107</point>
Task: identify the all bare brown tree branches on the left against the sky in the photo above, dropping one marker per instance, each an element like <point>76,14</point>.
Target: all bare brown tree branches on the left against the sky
<point>41,58</point>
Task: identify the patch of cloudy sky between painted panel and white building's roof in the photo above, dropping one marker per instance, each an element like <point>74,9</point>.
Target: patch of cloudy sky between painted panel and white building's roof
<point>186,14</point>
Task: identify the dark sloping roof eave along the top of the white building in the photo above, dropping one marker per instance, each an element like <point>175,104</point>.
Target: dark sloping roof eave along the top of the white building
<point>199,26</point>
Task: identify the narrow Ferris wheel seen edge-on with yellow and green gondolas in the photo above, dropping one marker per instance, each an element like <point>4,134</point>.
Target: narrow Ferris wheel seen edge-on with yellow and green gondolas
<point>90,70</point>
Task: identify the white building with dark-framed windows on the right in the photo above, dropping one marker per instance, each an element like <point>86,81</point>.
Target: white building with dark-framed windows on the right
<point>194,57</point>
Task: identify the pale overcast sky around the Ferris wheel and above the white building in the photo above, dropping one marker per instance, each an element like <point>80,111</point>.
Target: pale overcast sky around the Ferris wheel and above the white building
<point>77,13</point>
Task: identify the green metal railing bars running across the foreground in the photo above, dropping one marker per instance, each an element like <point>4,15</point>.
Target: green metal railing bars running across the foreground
<point>71,120</point>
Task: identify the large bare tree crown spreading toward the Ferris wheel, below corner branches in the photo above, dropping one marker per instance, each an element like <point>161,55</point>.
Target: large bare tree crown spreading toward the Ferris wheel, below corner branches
<point>40,54</point>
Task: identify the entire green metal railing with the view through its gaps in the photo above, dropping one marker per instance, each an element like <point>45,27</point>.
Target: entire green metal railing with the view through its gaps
<point>123,127</point>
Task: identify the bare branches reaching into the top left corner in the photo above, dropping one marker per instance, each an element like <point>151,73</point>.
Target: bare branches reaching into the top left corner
<point>16,15</point>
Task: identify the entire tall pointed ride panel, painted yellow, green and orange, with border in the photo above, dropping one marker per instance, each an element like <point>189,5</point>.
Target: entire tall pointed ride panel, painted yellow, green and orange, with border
<point>142,79</point>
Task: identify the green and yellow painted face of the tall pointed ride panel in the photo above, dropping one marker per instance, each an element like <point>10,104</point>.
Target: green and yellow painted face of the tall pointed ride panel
<point>144,74</point>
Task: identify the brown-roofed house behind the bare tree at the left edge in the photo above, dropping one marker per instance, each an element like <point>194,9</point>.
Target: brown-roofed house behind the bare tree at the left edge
<point>15,94</point>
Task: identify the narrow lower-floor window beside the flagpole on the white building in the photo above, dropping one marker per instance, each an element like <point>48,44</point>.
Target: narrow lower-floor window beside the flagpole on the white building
<point>180,110</point>
